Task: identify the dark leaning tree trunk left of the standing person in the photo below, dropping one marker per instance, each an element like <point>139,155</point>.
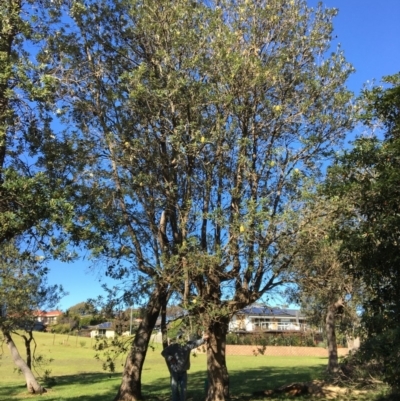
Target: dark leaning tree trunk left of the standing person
<point>131,385</point>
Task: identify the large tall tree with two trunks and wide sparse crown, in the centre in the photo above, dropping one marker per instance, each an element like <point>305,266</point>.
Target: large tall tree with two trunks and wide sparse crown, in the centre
<point>204,123</point>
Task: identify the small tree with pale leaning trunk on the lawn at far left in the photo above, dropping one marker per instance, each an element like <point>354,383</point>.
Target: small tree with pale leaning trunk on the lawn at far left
<point>23,293</point>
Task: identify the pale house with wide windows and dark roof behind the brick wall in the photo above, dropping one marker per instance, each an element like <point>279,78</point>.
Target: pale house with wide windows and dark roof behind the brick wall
<point>260,318</point>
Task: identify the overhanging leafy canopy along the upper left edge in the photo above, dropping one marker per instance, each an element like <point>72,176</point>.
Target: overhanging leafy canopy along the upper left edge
<point>28,197</point>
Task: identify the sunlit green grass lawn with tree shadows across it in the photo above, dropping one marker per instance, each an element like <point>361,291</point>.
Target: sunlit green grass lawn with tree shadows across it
<point>79,376</point>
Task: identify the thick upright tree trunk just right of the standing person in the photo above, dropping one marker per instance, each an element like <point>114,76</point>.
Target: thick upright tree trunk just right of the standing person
<point>218,377</point>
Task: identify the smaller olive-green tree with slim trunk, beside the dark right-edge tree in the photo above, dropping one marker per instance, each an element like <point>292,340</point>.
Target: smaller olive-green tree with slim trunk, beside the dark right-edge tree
<point>327,293</point>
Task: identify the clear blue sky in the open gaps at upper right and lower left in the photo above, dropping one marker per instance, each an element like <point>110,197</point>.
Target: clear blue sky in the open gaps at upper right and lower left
<point>369,34</point>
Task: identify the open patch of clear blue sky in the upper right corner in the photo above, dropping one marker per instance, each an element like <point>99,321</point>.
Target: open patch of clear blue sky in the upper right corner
<point>369,34</point>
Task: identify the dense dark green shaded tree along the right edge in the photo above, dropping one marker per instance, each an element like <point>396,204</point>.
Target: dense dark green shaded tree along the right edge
<point>368,176</point>
